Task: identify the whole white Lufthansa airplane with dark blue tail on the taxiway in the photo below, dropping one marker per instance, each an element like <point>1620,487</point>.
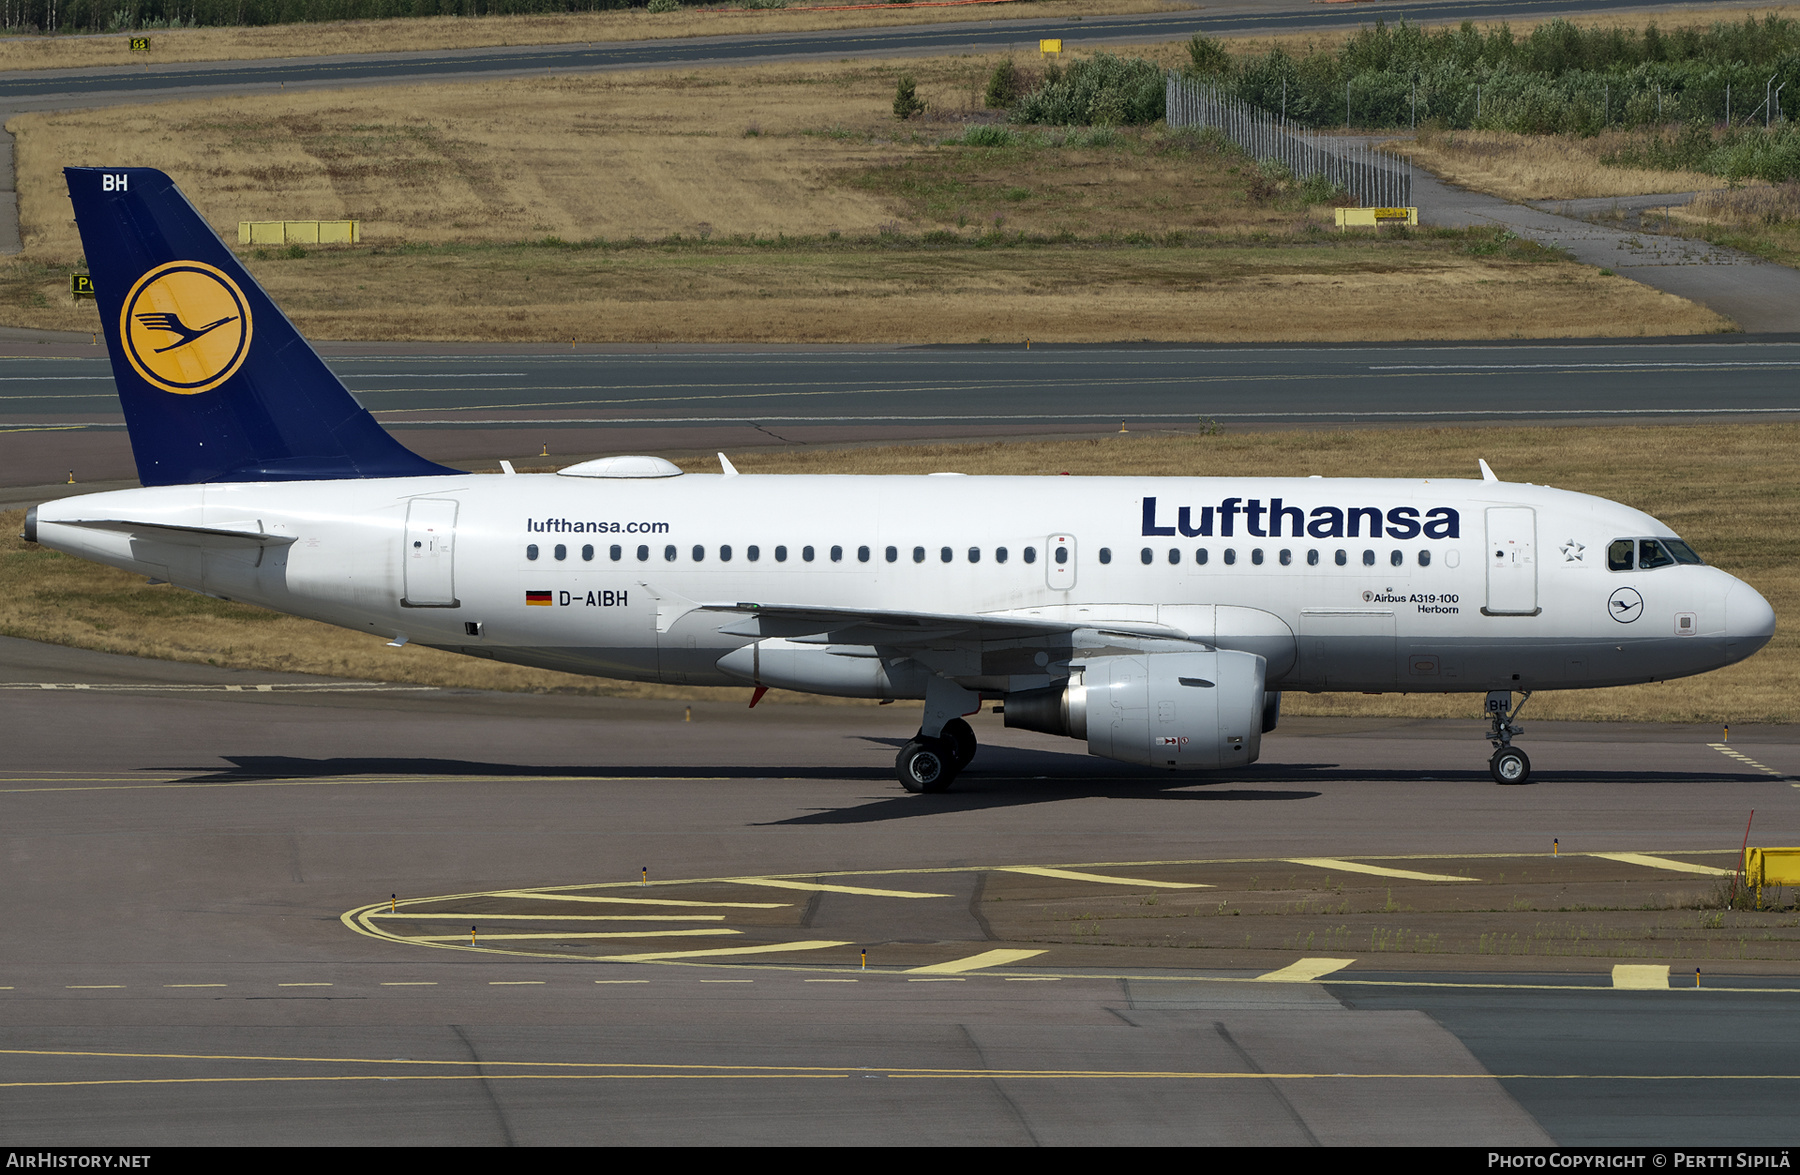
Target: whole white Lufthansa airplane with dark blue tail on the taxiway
<point>1156,620</point>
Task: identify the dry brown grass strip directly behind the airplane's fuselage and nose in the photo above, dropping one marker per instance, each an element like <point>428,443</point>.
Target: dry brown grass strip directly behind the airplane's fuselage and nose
<point>1731,490</point>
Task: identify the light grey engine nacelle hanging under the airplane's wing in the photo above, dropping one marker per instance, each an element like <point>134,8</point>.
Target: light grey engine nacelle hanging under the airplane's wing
<point>1178,712</point>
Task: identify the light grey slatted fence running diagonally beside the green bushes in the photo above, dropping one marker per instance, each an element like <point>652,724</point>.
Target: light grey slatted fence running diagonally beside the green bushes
<point>1371,177</point>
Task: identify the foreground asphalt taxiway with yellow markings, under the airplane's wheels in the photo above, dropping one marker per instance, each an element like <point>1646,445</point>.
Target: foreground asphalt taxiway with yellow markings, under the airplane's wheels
<point>181,848</point>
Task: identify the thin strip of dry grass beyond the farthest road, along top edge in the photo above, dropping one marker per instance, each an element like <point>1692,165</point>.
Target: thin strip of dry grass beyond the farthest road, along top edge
<point>438,33</point>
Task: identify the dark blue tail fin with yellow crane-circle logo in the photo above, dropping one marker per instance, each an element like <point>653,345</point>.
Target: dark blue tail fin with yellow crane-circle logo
<point>215,382</point>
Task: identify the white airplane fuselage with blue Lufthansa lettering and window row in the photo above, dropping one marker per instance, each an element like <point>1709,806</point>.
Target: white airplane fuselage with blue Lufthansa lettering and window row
<point>1342,586</point>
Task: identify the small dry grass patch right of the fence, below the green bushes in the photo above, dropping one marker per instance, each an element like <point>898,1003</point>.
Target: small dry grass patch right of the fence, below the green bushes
<point>1542,166</point>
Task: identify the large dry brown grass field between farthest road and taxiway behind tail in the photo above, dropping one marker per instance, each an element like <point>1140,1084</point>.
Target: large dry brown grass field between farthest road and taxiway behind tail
<point>1155,237</point>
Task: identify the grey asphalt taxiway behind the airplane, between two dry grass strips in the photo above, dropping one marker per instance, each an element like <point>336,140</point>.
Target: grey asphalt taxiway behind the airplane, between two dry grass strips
<point>60,417</point>
